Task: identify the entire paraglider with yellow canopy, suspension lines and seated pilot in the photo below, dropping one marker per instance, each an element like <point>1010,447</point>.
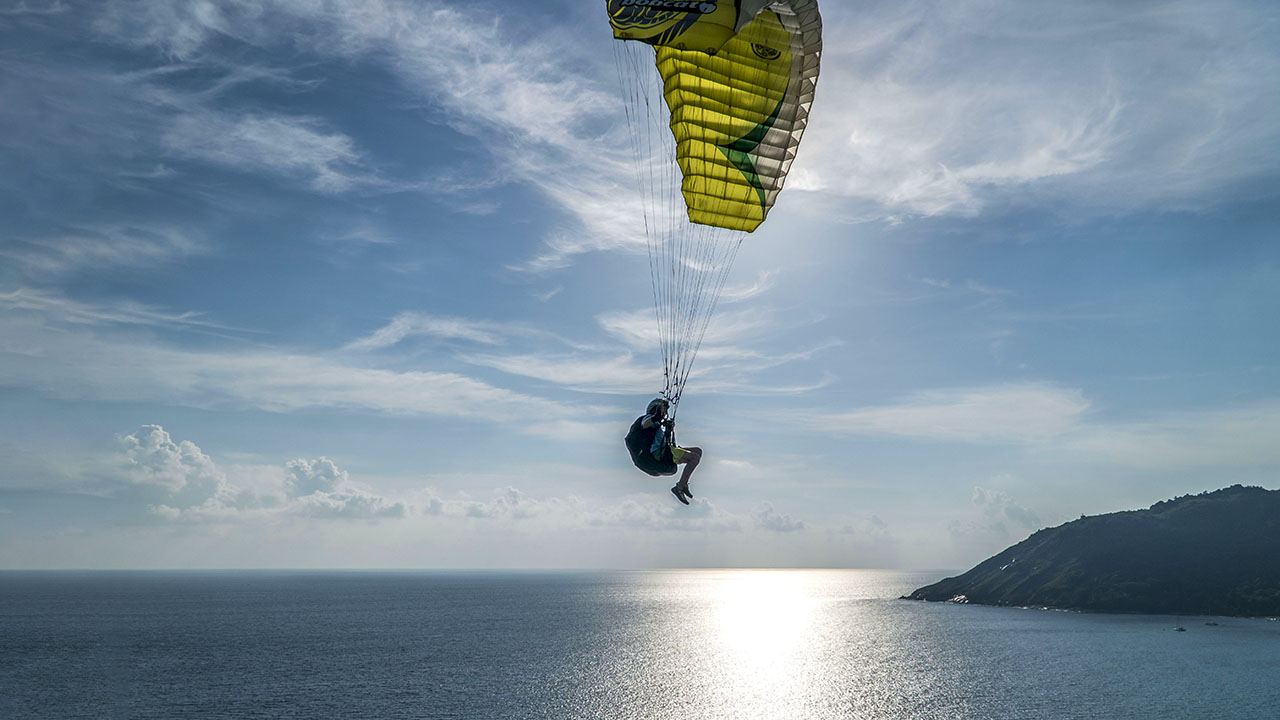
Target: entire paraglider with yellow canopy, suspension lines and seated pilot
<point>737,80</point>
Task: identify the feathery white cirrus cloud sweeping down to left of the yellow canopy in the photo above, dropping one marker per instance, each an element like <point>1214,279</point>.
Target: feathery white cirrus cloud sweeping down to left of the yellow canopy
<point>520,89</point>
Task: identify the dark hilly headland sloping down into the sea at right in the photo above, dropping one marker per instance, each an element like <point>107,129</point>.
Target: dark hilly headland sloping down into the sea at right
<point>1212,554</point>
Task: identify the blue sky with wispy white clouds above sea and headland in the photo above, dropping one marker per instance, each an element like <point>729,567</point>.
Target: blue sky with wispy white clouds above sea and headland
<point>326,284</point>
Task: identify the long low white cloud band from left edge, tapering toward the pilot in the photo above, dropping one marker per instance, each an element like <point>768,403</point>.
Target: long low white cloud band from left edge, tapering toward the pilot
<point>70,363</point>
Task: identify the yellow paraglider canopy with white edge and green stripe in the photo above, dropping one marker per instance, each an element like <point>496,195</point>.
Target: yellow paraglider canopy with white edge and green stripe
<point>739,79</point>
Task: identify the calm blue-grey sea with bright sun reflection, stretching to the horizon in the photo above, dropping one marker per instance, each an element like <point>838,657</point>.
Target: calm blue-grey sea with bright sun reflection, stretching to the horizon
<point>661,645</point>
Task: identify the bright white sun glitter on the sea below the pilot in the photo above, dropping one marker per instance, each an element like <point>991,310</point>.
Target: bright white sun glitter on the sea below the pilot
<point>766,644</point>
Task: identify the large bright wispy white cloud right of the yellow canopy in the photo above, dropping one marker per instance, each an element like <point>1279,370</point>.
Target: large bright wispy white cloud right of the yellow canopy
<point>931,110</point>
